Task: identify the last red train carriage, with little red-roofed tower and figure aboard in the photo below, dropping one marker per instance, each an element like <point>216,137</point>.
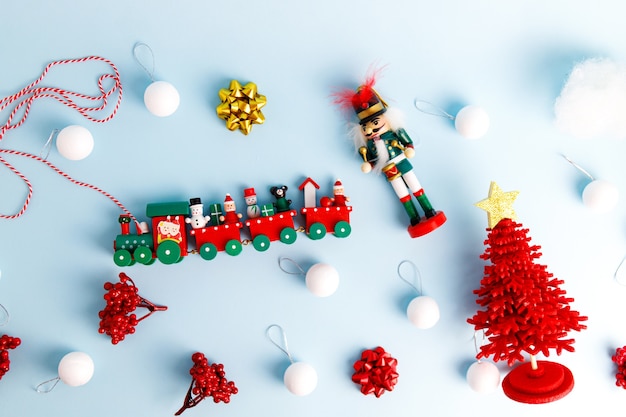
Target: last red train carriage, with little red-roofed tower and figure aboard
<point>333,215</point>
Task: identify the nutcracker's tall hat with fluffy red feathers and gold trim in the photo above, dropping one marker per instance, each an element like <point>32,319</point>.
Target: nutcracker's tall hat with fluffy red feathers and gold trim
<point>365,101</point>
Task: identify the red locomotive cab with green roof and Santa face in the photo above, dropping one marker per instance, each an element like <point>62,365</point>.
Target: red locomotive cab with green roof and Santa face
<point>169,230</point>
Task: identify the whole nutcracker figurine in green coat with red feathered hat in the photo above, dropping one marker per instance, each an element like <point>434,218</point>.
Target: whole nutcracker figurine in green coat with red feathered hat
<point>386,147</point>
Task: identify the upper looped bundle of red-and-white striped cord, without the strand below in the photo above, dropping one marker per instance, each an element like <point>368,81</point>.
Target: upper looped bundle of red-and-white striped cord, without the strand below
<point>32,92</point>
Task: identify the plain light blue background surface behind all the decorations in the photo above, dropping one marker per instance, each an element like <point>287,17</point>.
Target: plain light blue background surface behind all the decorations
<point>511,57</point>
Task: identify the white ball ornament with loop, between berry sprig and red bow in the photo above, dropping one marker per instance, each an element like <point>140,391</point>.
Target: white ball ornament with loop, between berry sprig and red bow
<point>300,378</point>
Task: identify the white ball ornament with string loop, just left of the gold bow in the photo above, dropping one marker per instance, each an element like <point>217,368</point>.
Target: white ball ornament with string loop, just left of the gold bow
<point>160,97</point>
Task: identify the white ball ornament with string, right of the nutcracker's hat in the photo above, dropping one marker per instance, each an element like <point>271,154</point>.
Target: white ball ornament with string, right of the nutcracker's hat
<point>472,121</point>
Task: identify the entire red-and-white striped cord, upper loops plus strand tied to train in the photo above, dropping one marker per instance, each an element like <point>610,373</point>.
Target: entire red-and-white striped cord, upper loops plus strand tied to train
<point>30,93</point>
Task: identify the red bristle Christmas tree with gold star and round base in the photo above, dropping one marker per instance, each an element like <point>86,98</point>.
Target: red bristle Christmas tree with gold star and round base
<point>524,308</point>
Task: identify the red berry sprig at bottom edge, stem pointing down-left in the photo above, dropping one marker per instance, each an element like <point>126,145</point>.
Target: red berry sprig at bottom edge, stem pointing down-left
<point>207,381</point>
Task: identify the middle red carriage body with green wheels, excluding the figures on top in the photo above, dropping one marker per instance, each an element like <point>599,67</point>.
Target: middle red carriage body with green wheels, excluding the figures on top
<point>266,229</point>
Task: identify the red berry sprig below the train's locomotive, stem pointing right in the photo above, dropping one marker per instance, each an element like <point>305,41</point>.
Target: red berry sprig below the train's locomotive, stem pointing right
<point>118,319</point>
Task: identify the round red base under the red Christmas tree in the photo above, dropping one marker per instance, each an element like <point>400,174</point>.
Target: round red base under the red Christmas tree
<point>549,382</point>
